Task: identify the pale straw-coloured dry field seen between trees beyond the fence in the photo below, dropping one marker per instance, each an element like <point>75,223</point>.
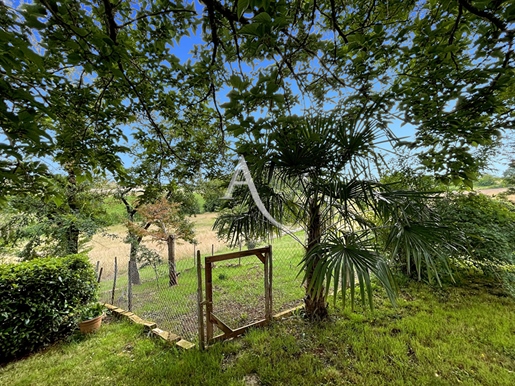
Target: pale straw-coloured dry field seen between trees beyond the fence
<point>104,247</point>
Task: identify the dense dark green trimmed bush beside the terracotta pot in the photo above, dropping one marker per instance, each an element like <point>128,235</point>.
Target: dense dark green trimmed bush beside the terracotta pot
<point>39,300</point>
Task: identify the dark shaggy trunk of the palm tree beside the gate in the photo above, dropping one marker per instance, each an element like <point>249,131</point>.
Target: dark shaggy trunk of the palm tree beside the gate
<point>316,305</point>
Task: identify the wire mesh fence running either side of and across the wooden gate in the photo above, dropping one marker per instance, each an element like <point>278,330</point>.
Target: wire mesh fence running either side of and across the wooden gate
<point>238,288</point>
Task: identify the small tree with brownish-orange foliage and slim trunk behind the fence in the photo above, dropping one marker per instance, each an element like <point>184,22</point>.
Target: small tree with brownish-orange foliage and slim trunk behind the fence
<point>169,224</point>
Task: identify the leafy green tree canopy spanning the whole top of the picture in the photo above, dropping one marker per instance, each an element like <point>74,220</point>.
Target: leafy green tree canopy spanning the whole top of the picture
<point>445,67</point>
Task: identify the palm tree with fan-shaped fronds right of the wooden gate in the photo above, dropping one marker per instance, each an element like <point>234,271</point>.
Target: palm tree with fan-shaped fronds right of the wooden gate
<point>319,173</point>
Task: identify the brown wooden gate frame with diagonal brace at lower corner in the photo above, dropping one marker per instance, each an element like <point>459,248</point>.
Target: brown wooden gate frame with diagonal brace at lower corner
<point>211,320</point>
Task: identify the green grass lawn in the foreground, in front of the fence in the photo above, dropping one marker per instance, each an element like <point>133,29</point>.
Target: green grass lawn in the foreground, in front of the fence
<point>456,335</point>
